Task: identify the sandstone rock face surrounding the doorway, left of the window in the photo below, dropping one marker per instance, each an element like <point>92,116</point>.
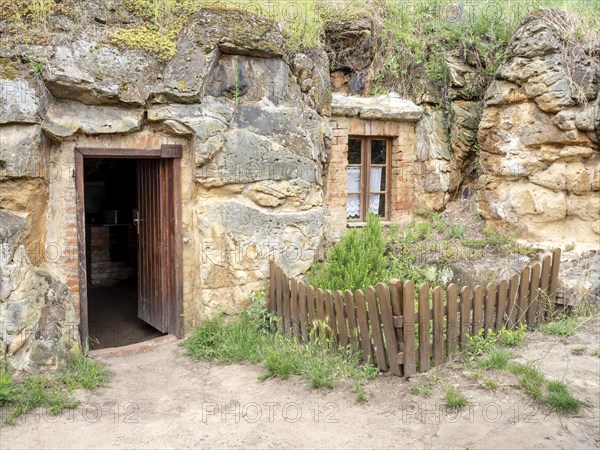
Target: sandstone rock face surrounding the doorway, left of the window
<point>255,122</point>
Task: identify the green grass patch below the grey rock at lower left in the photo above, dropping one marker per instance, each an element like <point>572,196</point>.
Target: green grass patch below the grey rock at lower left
<point>52,392</point>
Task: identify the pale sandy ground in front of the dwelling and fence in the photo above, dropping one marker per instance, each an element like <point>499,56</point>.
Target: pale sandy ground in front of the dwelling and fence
<point>162,399</point>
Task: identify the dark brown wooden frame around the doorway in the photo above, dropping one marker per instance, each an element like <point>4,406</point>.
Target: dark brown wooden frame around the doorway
<point>165,151</point>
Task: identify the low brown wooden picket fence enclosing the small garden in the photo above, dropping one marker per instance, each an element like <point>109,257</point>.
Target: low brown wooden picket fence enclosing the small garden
<point>402,335</point>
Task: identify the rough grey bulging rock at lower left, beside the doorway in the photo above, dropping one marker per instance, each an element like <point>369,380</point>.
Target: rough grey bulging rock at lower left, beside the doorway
<point>39,328</point>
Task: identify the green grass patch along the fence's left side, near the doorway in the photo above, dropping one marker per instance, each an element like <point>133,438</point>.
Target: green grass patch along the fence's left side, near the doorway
<point>248,338</point>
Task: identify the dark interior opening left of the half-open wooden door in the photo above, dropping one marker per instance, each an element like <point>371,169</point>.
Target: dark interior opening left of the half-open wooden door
<point>112,253</point>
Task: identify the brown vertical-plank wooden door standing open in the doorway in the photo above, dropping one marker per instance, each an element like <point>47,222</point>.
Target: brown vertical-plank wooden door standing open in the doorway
<point>158,254</point>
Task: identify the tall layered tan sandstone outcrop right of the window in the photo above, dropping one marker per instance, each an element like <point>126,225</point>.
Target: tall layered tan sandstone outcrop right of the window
<point>539,139</point>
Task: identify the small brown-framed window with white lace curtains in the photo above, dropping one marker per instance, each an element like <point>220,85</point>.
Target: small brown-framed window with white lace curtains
<point>368,174</point>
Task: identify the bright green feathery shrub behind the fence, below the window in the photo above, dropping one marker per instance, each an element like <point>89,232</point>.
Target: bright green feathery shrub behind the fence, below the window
<point>358,260</point>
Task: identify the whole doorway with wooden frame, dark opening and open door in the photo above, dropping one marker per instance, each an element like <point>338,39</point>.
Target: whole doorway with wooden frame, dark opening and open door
<point>128,211</point>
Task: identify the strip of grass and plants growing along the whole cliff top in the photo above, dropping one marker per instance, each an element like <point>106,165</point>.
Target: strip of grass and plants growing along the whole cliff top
<point>414,33</point>
